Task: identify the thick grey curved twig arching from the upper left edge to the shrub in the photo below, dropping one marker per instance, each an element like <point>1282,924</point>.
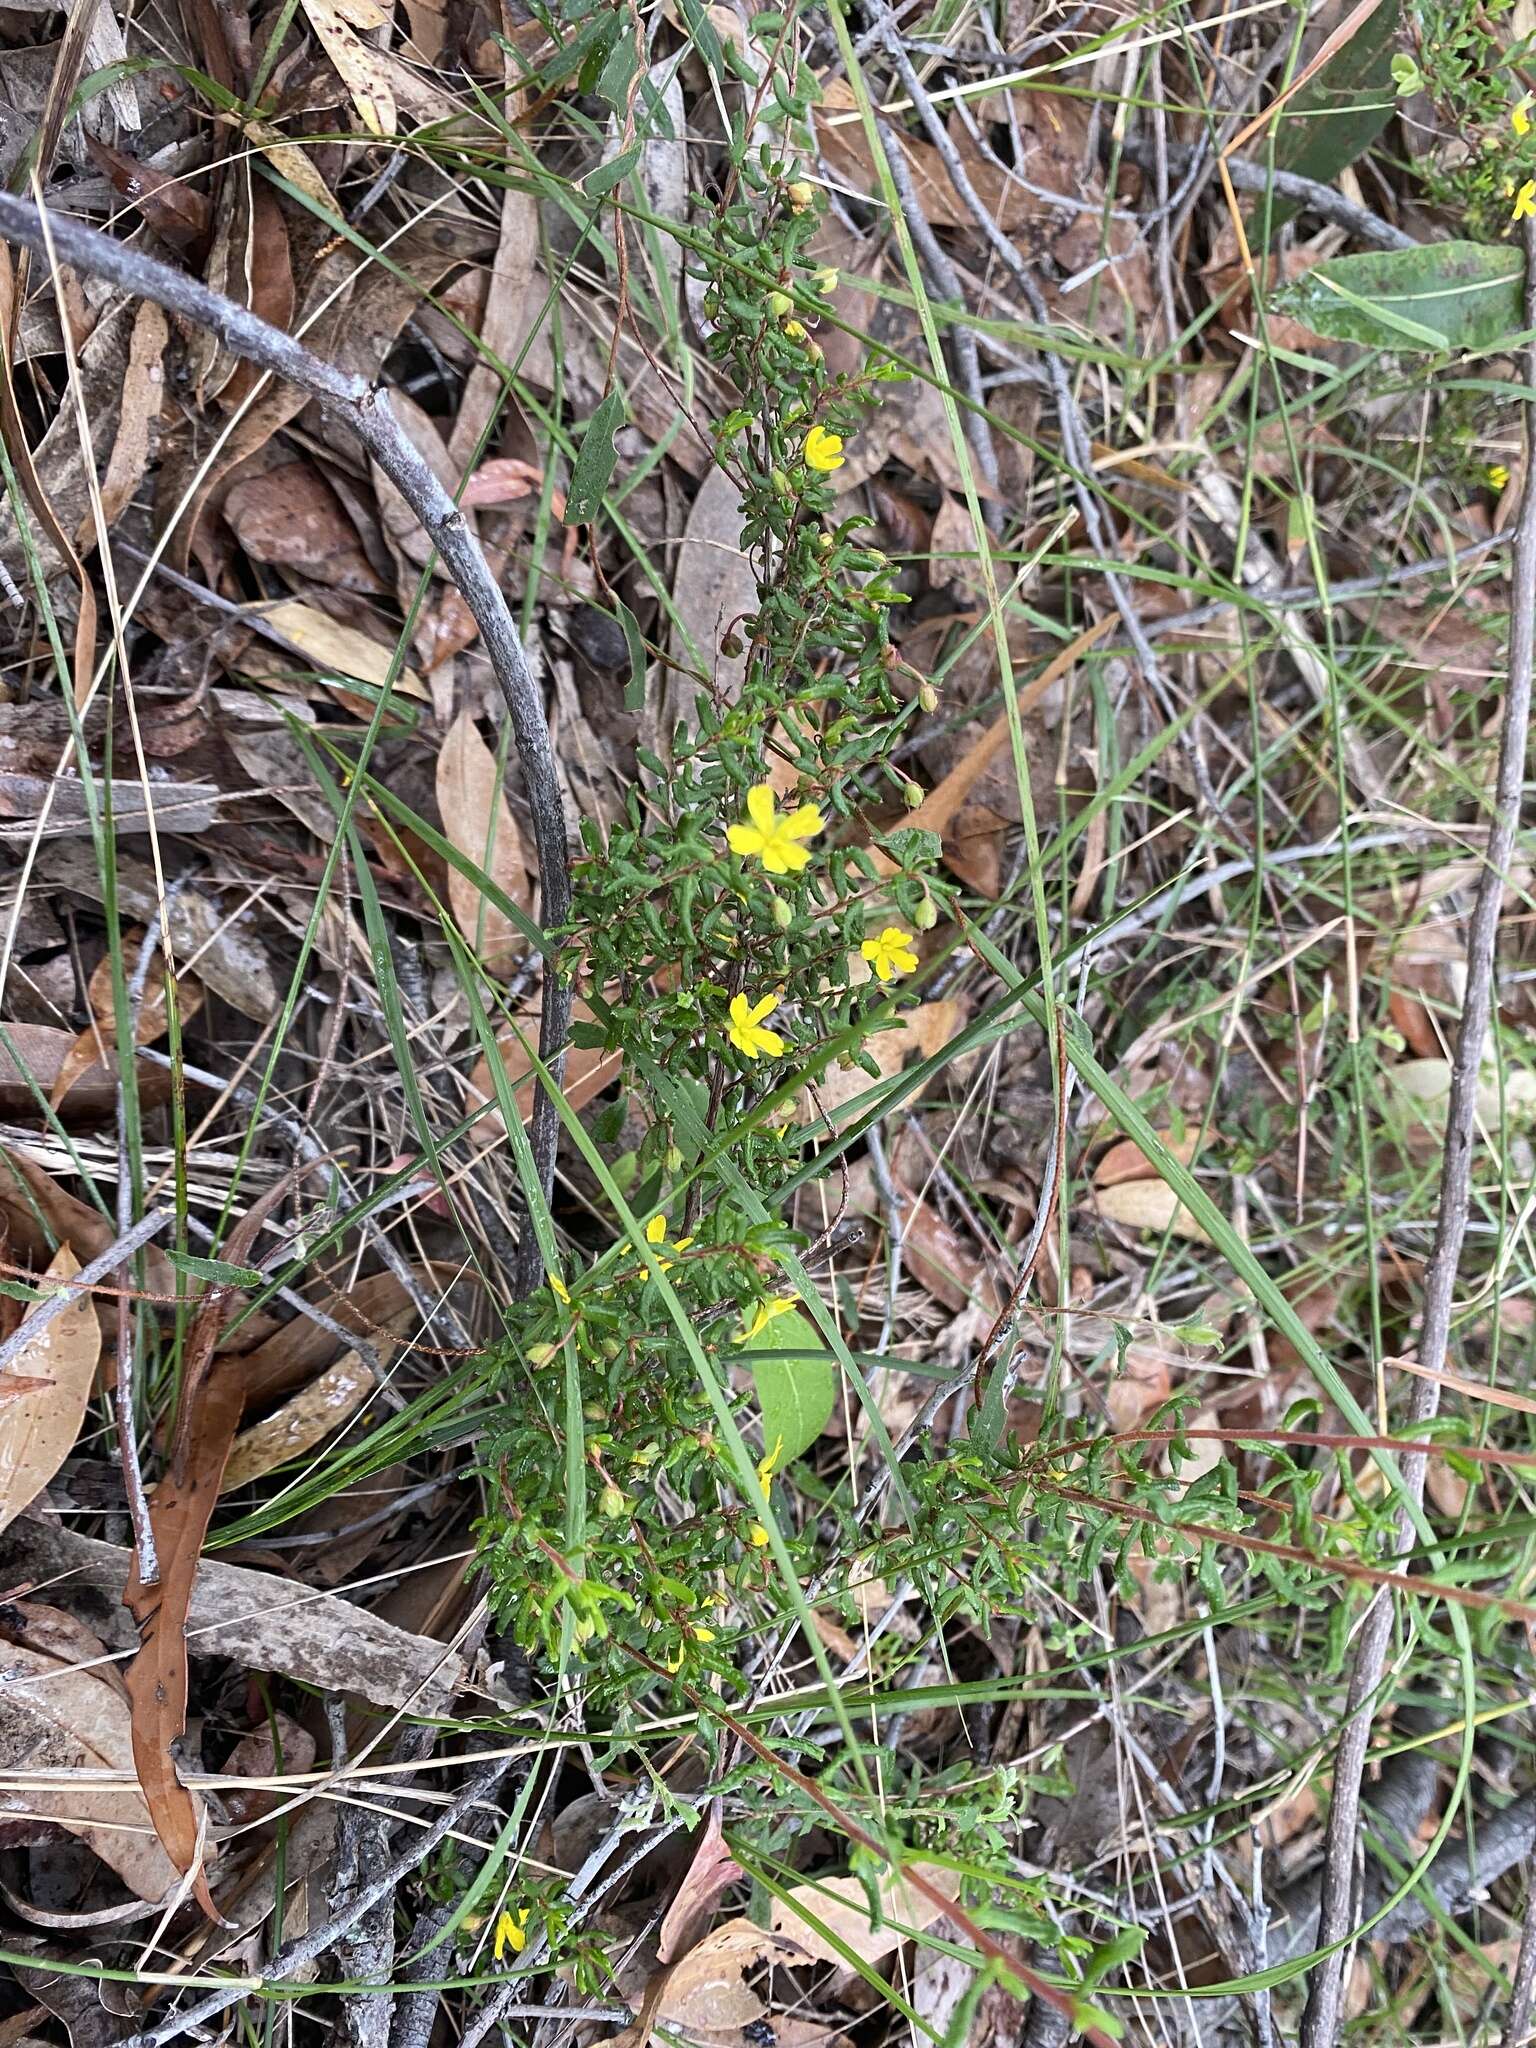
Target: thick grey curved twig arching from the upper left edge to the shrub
<point>368,413</point>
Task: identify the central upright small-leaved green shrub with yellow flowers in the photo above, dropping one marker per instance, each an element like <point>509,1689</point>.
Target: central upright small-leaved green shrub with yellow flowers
<point>749,921</point>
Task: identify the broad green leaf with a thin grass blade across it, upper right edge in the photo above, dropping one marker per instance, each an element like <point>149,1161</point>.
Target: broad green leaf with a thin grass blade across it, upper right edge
<point>1445,296</point>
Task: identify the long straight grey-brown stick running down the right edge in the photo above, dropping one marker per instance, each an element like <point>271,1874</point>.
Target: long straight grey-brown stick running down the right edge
<point>1322,2016</point>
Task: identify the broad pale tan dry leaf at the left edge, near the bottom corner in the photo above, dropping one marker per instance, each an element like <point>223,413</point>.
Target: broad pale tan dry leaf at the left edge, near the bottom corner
<point>62,1719</point>
